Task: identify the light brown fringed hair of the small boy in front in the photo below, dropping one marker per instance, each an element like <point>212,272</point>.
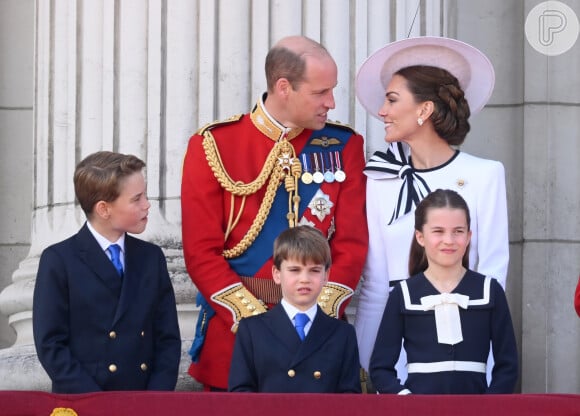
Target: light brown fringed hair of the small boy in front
<point>303,243</point>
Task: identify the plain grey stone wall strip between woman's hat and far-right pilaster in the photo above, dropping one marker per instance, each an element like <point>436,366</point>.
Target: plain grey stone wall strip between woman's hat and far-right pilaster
<point>496,131</point>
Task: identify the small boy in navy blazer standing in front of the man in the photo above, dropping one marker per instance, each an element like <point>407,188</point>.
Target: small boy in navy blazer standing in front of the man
<point>269,355</point>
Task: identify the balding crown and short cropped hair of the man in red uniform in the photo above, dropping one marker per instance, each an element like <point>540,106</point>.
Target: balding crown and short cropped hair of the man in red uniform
<point>287,59</point>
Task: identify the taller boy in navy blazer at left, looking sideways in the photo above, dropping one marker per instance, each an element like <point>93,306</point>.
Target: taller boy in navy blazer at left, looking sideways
<point>104,320</point>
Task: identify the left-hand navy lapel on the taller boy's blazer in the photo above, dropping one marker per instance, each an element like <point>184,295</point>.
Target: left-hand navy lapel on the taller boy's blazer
<point>96,260</point>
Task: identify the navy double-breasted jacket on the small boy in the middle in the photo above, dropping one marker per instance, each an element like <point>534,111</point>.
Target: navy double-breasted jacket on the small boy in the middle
<point>269,356</point>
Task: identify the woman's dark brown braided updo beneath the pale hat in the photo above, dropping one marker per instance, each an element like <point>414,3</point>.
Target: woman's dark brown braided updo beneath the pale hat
<point>451,110</point>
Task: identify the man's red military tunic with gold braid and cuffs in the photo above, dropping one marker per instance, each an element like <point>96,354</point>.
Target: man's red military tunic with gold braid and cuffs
<point>235,153</point>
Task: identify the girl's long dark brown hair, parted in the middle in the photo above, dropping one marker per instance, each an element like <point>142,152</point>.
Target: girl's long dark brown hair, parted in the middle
<point>441,198</point>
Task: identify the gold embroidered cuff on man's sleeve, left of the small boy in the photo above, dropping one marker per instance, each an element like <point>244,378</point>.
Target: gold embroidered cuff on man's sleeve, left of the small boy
<point>240,302</point>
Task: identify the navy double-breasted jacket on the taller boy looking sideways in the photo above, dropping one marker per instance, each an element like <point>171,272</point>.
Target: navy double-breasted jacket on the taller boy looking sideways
<point>94,330</point>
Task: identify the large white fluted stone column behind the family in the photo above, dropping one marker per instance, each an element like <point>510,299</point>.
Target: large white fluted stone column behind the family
<point>140,77</point>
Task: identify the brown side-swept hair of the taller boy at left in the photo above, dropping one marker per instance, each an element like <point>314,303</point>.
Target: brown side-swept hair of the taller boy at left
<point>98,177</point>
